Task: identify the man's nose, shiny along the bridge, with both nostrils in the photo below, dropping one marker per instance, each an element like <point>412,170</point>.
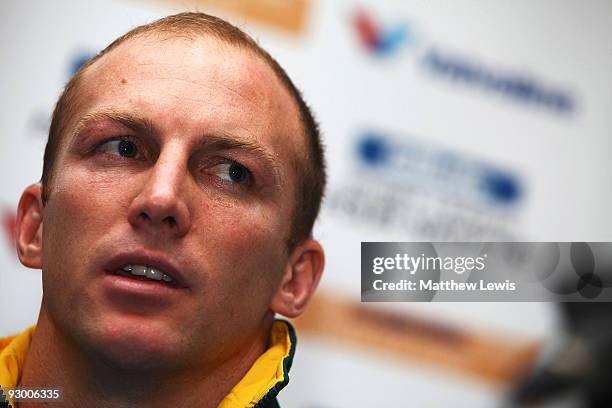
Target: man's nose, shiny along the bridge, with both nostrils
<point>160,205</point>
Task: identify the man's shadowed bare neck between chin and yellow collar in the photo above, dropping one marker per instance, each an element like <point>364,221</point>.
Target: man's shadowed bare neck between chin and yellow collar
<point>54,360</point>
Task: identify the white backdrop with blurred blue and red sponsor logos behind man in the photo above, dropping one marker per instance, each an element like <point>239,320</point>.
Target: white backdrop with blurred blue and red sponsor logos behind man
<point>461,120</point>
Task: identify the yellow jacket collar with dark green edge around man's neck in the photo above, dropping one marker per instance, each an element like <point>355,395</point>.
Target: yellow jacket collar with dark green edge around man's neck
<point>268,375</point>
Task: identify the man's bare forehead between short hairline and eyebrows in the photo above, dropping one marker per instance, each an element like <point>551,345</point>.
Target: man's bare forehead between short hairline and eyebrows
<point>200,84</point>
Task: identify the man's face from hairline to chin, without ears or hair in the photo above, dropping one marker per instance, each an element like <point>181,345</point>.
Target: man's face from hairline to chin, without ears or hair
<point>177,157</point>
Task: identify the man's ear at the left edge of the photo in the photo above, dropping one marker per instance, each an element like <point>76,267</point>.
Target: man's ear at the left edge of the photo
<point>29,227</point>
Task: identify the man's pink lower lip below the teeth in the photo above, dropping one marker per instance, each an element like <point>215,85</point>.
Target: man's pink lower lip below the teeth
<point>123,288</point>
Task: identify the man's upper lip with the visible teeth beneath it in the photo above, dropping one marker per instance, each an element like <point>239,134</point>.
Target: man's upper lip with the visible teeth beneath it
<point>146,267</point>
